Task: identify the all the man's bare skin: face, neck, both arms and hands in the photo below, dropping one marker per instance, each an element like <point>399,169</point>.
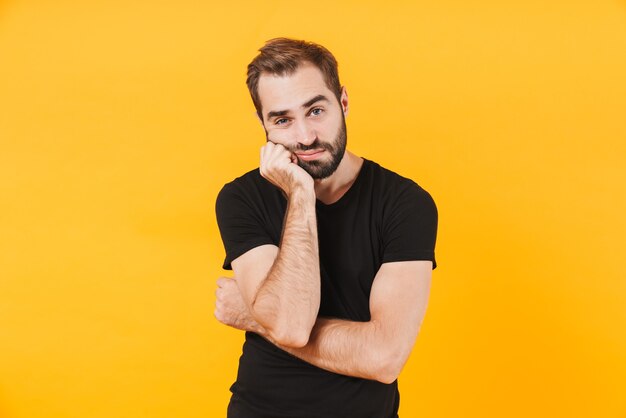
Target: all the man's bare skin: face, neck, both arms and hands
<point>275,290</point>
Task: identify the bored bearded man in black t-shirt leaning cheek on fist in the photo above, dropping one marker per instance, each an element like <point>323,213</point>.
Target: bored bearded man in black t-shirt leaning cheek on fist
<point>332,254</point>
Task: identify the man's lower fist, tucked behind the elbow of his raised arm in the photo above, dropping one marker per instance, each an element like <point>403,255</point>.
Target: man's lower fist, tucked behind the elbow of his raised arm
<point>230,308</point>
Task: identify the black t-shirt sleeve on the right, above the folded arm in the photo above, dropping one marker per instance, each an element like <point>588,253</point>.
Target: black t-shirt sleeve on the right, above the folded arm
<point>410,226</point>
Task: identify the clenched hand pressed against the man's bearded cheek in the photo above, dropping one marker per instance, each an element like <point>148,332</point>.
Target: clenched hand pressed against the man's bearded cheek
<point>280,167</point>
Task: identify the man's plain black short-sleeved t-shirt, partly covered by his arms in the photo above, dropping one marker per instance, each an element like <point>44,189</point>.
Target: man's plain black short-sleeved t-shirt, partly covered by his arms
<point>383,217</point>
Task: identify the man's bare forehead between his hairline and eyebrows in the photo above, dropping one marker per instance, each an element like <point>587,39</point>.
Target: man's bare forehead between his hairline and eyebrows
<point>289,92</point>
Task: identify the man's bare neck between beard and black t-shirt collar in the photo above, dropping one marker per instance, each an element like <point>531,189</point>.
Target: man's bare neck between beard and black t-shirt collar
<point>331,189</point>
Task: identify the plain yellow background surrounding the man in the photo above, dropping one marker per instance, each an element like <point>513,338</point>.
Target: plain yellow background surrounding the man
<point>121,120</point>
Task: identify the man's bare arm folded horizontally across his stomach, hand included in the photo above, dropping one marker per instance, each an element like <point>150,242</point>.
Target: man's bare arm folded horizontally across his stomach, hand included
<point>377,349</point>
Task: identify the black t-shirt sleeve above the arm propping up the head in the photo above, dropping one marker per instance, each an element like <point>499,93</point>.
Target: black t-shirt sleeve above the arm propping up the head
<point>241,226</point>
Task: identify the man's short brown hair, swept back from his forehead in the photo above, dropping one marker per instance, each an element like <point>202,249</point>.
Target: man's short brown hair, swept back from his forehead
<point>283,56</point>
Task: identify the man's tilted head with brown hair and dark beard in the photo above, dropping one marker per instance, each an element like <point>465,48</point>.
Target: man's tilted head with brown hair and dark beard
<point>296,91</point>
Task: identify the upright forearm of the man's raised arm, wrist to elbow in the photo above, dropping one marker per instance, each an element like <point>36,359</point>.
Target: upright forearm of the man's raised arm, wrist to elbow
<point>287,301</point>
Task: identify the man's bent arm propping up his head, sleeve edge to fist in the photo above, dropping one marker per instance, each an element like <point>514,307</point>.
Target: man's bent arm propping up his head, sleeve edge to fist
<point>281,286</point>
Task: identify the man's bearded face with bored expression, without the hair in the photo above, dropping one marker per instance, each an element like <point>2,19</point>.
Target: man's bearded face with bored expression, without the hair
<point>301,113</point>
